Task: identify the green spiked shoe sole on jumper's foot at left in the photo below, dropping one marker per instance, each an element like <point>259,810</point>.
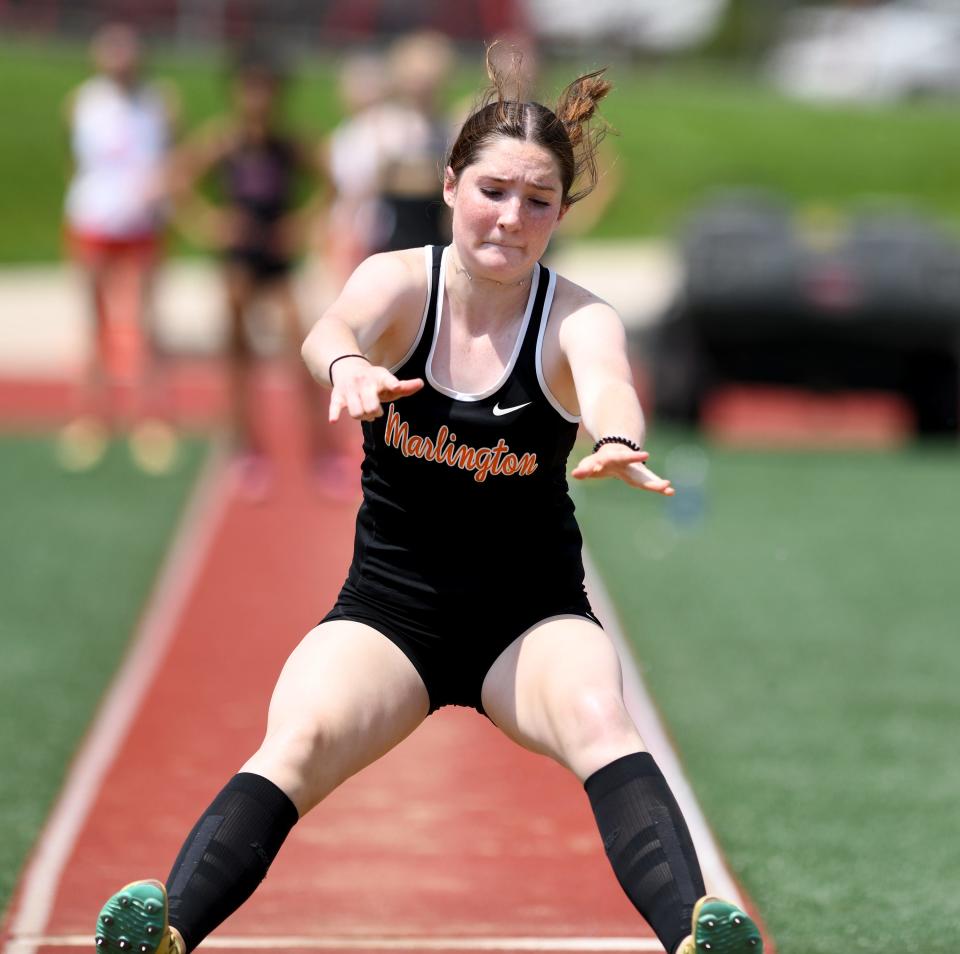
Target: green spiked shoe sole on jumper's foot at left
<point>134,921</point>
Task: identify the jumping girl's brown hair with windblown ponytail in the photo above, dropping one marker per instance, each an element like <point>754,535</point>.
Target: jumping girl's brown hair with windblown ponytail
<point>566,131</point>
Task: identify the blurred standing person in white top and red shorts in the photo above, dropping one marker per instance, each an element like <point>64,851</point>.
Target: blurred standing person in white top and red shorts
<point>120,129</point>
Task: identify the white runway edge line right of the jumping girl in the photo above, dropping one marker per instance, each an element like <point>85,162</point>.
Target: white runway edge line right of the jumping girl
<point>716,875</point>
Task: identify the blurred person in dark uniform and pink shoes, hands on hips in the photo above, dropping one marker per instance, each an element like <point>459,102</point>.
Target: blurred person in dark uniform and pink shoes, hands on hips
<point>266,185</point>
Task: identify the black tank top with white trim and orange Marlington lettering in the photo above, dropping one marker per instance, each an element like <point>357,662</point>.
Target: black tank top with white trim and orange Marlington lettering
<point>466,495</point>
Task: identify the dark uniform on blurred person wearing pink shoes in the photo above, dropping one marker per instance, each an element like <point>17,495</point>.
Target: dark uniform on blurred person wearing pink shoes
<point>258,181</point>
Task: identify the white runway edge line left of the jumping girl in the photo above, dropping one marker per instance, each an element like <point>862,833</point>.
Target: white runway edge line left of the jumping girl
<point>154,631</point>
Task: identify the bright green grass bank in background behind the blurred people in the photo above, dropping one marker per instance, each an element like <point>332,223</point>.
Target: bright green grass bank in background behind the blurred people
<point>682,134</point>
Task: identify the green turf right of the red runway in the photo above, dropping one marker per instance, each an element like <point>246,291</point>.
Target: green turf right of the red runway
<point>801,640</point>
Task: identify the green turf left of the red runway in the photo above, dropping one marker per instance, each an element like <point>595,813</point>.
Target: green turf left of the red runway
<point>79,554</point>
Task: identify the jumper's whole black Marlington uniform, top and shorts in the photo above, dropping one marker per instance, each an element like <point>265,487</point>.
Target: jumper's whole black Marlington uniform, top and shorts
<point>466,536</point>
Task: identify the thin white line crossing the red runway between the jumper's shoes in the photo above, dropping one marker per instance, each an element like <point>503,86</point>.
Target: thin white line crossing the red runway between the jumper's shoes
<point>626,944</point>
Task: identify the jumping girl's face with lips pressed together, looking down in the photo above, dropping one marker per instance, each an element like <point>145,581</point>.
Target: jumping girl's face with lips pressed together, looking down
<point>506,205</point>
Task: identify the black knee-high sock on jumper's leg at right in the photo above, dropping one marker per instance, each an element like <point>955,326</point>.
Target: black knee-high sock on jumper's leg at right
<point>648,844</point>
